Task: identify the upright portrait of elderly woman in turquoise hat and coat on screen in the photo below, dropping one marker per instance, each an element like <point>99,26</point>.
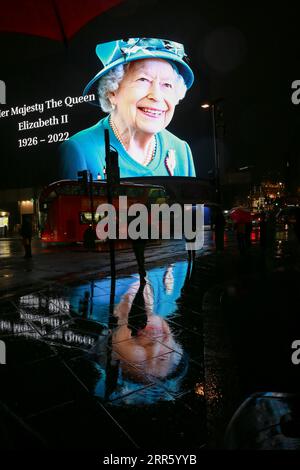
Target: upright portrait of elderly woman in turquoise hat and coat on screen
<point>139,86</point>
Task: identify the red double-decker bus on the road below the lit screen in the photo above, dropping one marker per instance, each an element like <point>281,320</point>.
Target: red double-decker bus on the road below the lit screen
<point>66,207</point>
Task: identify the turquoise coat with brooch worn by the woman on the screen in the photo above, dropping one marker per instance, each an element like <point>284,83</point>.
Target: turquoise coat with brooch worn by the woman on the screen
<point>86,151</point>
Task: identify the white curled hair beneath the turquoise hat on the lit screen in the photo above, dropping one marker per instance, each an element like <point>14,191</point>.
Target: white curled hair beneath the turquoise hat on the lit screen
<point>110,82</point>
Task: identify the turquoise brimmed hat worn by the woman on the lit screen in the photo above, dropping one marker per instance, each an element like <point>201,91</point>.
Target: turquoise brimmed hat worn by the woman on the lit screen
<point>127,50</point>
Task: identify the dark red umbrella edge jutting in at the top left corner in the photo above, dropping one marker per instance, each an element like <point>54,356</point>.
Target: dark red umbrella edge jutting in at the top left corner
<point>54,19</point>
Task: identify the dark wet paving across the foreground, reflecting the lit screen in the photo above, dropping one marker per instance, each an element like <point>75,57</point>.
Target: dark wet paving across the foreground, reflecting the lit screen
<point>97,364</point>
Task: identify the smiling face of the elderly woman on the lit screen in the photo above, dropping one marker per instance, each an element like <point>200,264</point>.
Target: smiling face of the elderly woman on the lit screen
<point>146,98</point>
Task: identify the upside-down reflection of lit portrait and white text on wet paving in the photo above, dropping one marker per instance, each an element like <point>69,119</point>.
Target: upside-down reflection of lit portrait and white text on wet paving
<point>119,341</point>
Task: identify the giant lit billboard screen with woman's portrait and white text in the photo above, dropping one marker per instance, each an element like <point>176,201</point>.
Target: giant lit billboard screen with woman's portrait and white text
<point>57,104</point>
